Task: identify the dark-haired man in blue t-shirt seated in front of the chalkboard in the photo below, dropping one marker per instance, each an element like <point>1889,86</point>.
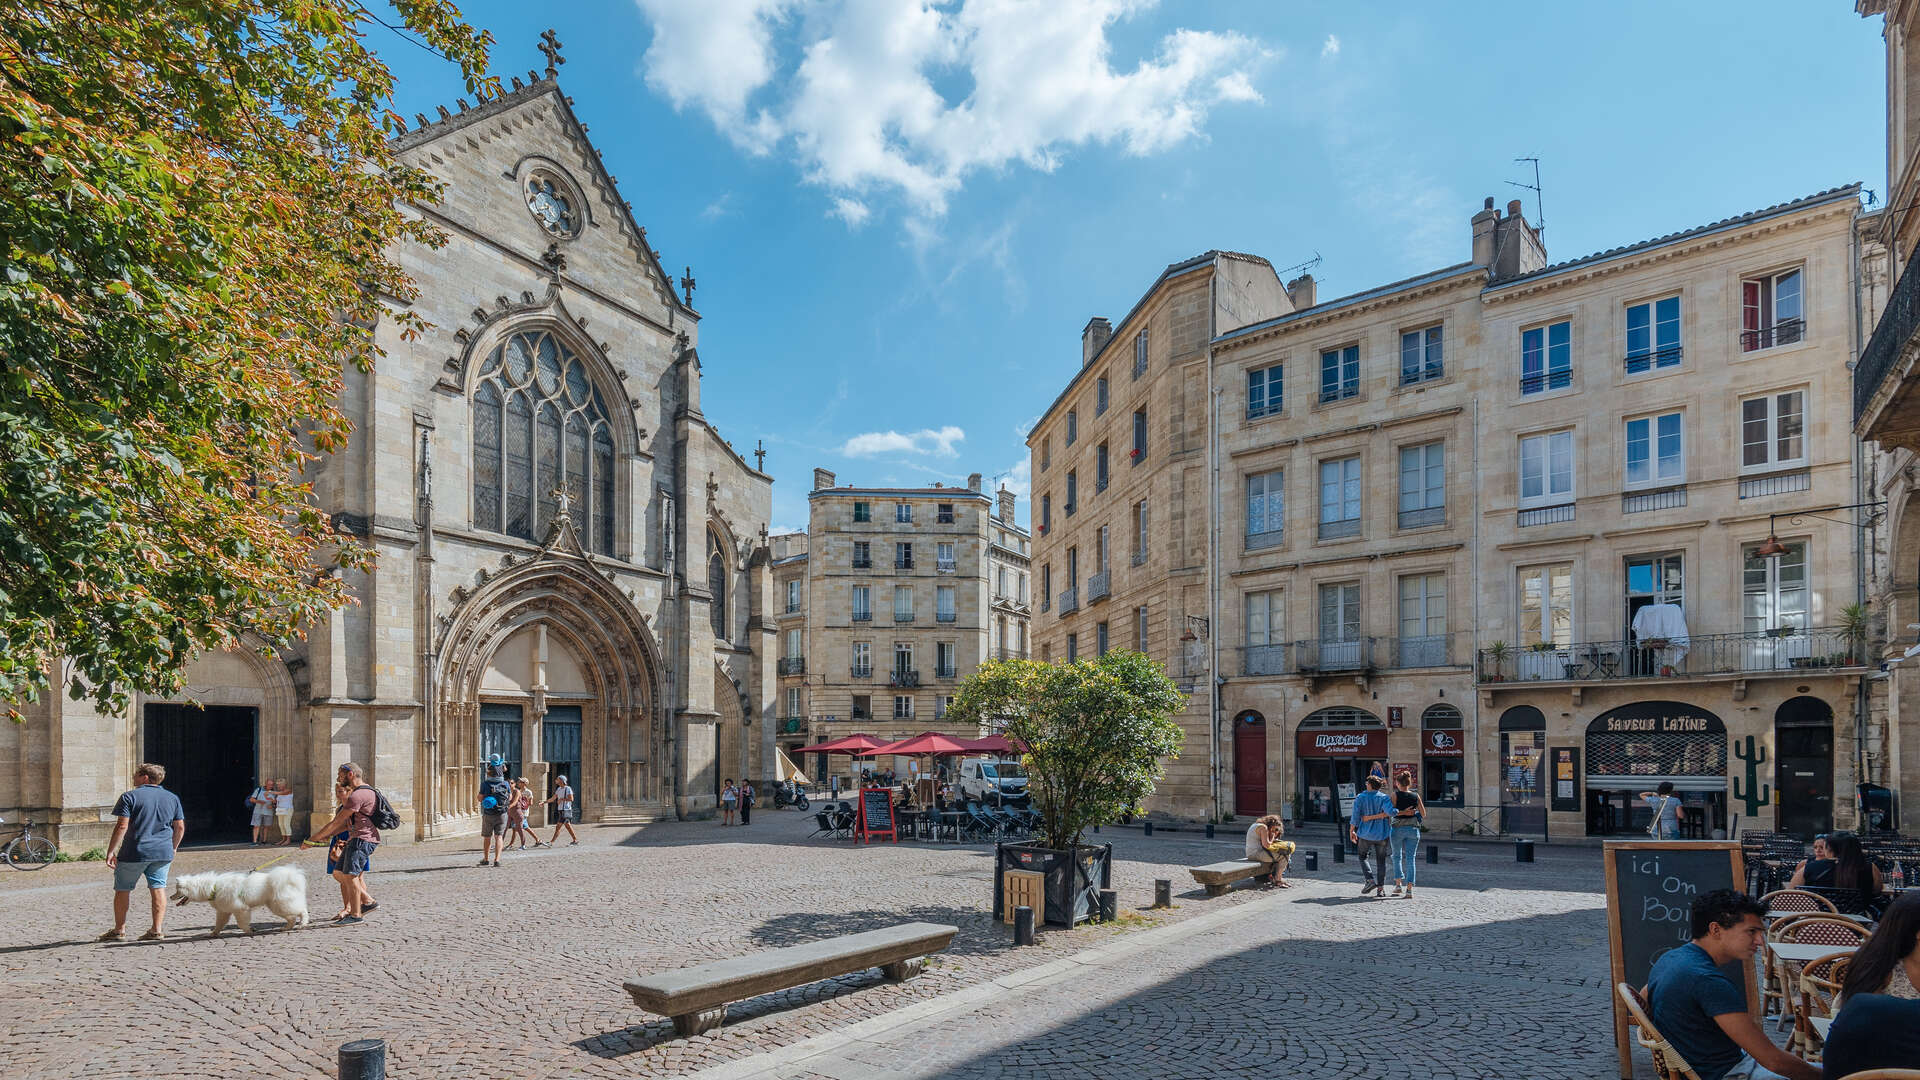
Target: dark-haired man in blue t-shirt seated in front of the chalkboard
<point>1702,1012</point>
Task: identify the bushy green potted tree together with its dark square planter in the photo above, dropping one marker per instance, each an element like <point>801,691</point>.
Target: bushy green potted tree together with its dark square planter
<point>1097,735</point>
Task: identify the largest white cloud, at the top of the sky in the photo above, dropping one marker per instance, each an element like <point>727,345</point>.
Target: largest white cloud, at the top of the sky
<point>865,97</point>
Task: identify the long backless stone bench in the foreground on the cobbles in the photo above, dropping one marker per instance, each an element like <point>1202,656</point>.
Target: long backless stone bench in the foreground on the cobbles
<point>696,996</point>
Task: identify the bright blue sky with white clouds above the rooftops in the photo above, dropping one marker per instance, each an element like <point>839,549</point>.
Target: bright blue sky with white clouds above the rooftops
<point>903,214</point>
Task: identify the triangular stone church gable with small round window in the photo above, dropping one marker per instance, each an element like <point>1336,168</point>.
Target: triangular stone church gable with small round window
<point>521,174</point>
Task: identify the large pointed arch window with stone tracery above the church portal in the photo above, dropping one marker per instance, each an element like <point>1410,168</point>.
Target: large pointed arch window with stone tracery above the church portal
<point>539,424</point>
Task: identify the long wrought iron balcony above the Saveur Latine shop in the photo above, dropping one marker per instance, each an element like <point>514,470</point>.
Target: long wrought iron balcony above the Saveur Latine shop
<point>1788,652</point>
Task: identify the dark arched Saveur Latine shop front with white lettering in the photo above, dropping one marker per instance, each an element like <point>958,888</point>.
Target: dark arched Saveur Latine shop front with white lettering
<point>1635,749</point>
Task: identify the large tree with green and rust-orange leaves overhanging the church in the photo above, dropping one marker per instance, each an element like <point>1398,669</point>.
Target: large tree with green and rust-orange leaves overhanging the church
<point>197,207</point>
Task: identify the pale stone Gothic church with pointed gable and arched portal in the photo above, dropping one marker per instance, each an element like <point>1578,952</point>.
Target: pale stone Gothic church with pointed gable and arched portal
<point>573,564</point>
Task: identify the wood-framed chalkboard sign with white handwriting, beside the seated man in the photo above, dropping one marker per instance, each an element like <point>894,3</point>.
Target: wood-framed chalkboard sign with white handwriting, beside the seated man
<point>1650,910</point>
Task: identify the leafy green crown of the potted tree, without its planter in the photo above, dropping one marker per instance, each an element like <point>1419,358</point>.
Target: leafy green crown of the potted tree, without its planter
<point>1097,733</point>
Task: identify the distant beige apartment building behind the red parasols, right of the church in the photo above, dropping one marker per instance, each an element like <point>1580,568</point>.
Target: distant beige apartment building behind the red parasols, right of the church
<point>888,602</point>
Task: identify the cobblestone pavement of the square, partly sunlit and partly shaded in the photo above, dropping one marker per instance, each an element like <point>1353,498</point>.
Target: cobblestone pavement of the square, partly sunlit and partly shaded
<point>1499,970</point>
